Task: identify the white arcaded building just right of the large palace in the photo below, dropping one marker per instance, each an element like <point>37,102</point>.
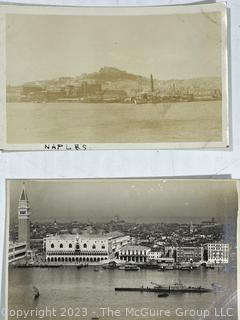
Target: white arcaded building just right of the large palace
<point>134,253</point>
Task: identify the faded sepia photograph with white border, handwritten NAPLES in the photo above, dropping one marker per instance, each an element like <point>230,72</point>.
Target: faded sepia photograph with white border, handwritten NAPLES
<point>115,78</point>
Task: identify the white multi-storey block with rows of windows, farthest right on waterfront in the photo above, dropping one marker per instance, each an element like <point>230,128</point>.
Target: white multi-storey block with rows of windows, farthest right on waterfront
<point>216,253</point>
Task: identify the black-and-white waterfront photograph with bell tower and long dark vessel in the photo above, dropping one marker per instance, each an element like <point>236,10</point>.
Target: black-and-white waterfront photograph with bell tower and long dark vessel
<point>122,249</point>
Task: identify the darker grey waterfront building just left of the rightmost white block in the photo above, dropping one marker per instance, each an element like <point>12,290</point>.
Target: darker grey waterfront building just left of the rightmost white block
<point>189,254</point>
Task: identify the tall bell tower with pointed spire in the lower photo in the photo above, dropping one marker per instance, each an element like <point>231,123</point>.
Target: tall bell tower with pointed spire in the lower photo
<point>24,218</point>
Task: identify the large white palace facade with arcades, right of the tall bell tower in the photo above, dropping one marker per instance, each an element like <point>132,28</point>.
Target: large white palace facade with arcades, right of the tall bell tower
<point>76,249</point>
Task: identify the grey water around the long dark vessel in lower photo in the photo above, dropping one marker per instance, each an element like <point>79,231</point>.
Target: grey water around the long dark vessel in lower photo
<point>85,288</point>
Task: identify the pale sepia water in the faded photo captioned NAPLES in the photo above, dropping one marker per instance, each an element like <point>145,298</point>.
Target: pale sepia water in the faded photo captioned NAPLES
<point>114,122</point>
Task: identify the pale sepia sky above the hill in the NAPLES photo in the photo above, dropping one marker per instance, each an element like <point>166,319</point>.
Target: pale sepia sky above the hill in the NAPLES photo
<point>170,46</point>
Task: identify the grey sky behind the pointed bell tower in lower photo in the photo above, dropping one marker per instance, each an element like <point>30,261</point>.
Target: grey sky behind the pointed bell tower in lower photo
<point>135,200</point>
